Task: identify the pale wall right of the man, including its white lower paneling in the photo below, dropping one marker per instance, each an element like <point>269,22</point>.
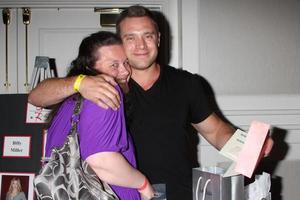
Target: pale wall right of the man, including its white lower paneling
<point>249,53</point>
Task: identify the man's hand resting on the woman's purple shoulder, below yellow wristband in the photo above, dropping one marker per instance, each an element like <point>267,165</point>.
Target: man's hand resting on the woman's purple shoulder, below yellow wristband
<point>100,90</point>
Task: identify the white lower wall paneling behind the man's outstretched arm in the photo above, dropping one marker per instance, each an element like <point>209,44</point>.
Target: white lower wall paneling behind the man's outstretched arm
<point>282,112</point>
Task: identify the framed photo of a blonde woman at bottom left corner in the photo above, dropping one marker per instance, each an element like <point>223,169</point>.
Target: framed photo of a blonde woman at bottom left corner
<point>21,182</point>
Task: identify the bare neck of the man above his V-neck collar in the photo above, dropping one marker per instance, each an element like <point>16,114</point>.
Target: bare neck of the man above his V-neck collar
<point>147,77</point>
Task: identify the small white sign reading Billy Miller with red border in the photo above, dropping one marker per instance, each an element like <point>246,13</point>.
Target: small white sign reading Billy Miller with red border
<point>16,146</point>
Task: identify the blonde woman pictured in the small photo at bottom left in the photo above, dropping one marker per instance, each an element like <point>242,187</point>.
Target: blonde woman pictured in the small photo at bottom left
<point>15,190</point>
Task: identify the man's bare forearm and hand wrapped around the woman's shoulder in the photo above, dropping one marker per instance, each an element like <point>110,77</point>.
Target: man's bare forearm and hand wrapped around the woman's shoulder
<point>99,89</point>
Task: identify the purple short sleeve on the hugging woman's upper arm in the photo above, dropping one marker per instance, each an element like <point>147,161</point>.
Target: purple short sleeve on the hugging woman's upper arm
<point>101,130</point>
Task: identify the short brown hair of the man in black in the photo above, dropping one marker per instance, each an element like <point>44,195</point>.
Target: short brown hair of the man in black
<point>135,11</point>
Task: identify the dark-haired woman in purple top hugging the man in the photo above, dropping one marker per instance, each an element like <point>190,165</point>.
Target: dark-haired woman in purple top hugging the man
<point>104,142</point>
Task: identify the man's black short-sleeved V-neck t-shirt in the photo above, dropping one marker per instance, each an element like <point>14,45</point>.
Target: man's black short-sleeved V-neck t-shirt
<point>158,120</point>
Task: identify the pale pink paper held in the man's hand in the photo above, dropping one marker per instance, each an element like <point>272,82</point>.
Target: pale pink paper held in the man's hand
<point>249,155</point>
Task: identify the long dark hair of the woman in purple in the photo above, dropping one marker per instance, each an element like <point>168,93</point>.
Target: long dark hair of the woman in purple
<point>87,56</point>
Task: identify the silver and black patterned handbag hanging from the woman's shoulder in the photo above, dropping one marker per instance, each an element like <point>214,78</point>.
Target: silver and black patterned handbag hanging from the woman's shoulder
<point>66,176</point>
